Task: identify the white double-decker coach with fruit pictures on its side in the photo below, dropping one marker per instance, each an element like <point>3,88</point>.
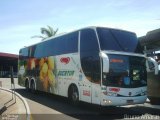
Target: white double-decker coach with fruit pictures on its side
<point>98,65</point>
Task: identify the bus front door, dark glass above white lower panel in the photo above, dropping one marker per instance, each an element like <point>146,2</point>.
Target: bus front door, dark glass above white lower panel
<point>90,85</point>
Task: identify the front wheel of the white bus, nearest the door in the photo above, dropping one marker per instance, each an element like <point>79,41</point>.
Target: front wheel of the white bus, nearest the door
<point>73,95</point>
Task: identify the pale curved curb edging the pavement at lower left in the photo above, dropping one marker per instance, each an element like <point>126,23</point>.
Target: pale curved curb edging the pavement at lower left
<point>23,100</point>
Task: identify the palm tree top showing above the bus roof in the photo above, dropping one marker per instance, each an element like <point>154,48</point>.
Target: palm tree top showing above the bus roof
<point>47,32</point>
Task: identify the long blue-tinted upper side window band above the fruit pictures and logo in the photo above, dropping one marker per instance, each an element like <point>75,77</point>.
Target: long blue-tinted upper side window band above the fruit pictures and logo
<point>56,46</point>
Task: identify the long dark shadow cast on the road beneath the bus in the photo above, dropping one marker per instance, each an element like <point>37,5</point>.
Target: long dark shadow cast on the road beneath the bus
<point>84,110</point>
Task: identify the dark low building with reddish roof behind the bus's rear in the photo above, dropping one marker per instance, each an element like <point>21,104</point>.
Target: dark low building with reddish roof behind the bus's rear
<point>7,61</point>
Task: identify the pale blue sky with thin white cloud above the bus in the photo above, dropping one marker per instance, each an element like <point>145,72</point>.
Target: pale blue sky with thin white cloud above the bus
<point>22,19</point>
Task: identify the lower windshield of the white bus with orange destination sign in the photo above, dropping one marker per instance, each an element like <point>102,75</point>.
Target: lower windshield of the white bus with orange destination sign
<point>126,71</point>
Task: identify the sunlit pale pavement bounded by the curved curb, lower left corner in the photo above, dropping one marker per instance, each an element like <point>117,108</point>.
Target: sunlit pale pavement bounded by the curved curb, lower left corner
<point>12,105</point>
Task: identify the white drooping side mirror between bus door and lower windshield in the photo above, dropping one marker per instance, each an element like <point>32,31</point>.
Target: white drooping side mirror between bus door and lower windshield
<point>105,60</point>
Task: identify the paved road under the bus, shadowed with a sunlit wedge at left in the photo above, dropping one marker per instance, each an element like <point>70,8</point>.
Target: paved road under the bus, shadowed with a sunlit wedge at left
<point>49,107</point>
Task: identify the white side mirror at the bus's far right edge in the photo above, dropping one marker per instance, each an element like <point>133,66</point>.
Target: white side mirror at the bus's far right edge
<point>153,67</point>
